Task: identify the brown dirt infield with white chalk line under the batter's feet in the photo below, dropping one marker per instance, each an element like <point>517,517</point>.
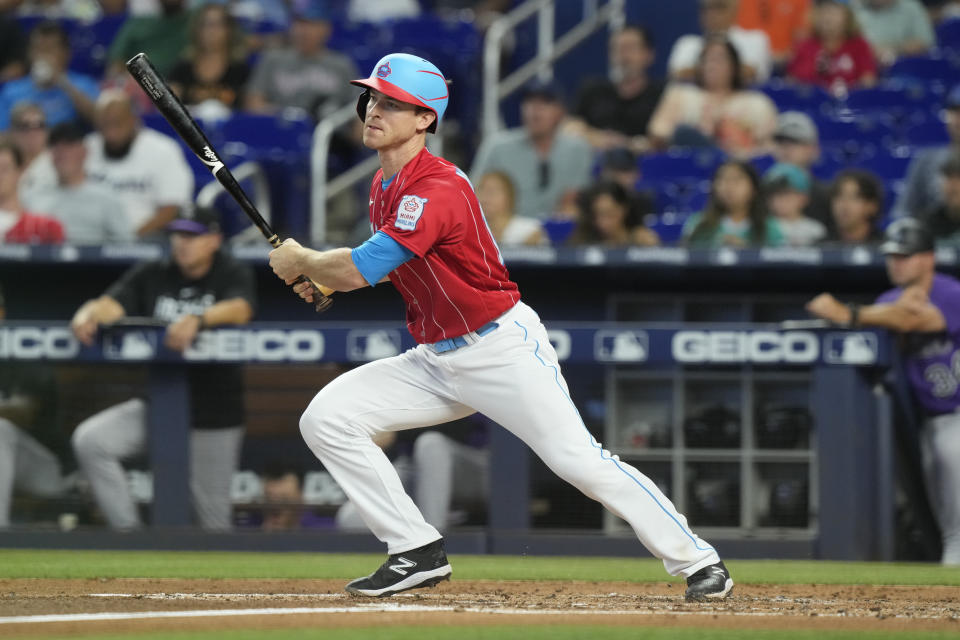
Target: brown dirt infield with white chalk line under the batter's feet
<point>158,604</point>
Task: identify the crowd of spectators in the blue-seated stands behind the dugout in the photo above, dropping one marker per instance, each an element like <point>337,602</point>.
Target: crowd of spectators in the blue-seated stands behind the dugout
<point>78,148</point>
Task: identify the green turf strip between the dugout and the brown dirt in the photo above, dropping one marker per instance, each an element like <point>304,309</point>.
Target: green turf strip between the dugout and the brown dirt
<point>188,565</point>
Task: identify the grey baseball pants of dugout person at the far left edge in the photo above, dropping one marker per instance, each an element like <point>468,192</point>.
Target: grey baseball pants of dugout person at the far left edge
<point>27,465</point>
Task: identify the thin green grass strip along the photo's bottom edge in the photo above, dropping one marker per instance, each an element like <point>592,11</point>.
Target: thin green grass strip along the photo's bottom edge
<point>525,633</point>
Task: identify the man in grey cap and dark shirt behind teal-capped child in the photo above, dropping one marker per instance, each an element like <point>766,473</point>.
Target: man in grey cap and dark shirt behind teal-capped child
<point>796,141</point>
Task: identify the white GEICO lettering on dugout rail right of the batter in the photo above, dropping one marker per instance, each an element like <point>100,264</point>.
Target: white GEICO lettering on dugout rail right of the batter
<point>745,346</point>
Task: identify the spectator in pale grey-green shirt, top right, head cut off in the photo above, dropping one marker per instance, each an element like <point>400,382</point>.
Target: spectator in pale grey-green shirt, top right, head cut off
<point>895,28</point>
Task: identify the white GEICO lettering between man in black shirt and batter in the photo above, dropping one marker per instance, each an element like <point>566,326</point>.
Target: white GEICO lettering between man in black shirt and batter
<point>301,345</point>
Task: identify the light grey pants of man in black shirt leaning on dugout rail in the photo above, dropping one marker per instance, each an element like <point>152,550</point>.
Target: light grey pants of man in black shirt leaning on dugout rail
<point>103,440</point>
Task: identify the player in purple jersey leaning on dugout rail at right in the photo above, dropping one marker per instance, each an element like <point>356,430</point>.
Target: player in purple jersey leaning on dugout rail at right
<point>924,306</point>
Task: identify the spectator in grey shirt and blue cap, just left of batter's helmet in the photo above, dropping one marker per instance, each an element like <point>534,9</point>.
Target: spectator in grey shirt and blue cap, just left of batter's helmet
<point>306,75</point>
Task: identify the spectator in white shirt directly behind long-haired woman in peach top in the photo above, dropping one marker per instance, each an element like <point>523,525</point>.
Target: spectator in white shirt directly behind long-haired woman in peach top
<point>718,20</point>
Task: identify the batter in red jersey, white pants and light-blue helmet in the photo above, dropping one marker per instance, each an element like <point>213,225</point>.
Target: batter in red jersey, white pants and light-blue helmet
<point>480,349</point>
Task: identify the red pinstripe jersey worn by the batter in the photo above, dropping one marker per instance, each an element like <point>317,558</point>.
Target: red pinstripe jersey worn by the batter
<point>456,282</point>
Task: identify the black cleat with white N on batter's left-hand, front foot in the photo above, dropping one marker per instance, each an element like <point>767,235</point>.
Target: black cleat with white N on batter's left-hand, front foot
<point>425,566</point>
